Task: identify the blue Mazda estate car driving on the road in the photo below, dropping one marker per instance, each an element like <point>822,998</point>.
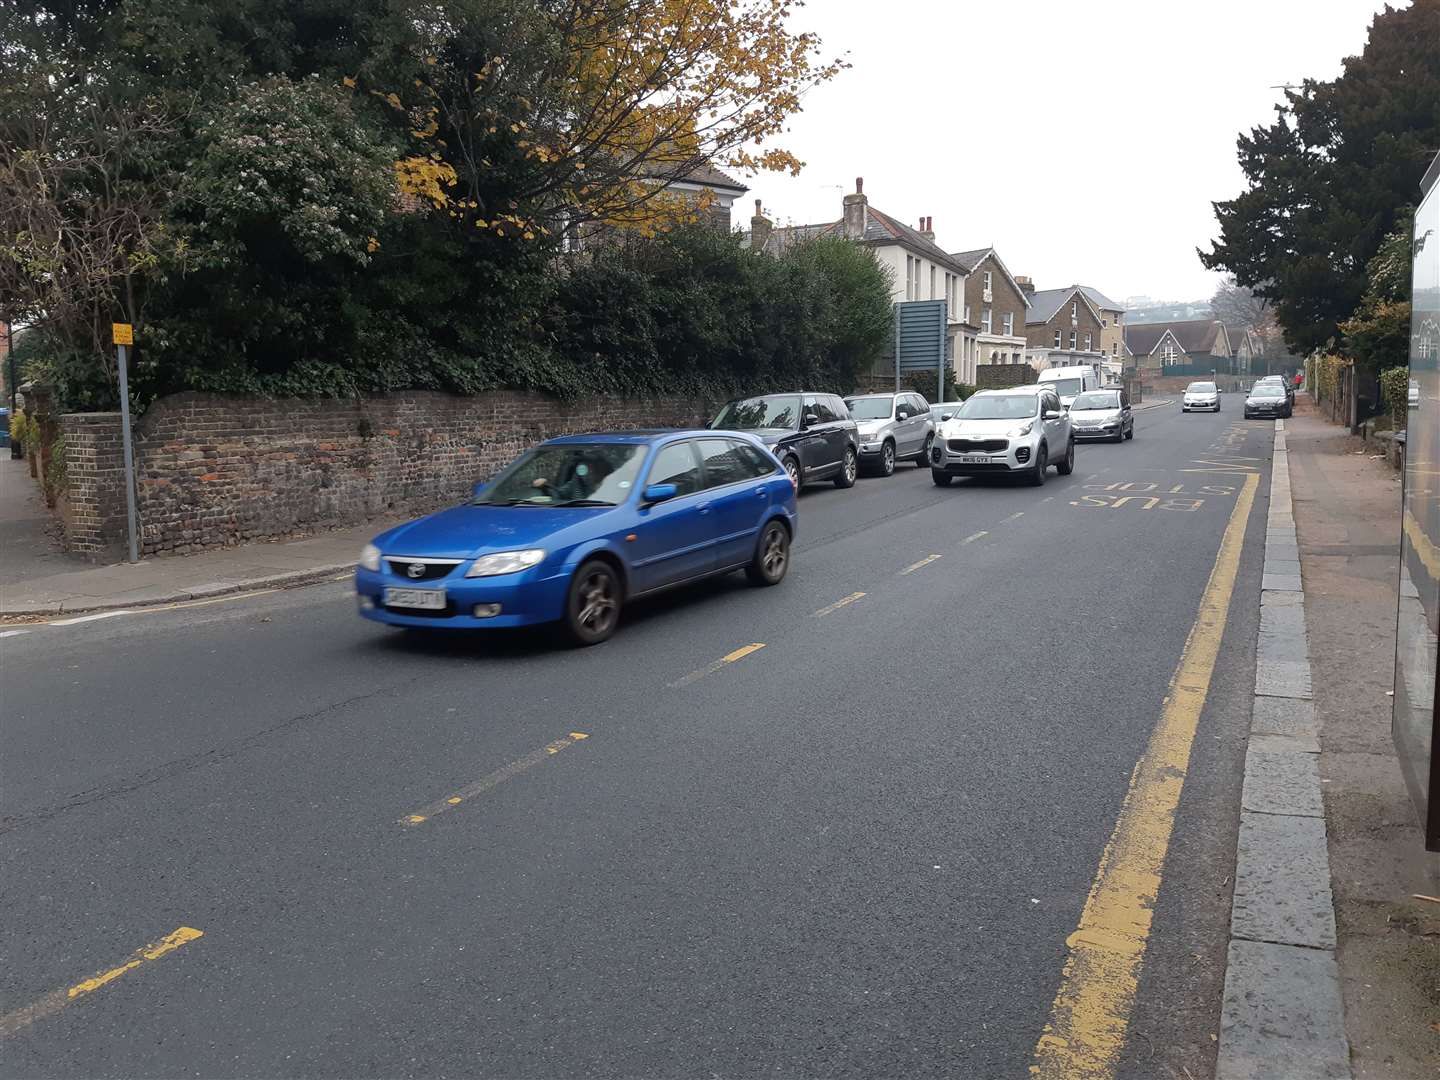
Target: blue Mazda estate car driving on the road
<point>578,526</point>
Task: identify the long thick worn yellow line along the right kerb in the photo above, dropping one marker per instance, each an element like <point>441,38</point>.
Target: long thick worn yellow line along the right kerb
<point>1091,1016</point>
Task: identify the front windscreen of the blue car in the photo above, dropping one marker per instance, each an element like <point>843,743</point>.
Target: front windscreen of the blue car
<point>598,474</point>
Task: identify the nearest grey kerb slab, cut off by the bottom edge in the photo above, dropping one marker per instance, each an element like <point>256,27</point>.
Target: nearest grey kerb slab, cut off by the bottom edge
<point>1282,1016</point>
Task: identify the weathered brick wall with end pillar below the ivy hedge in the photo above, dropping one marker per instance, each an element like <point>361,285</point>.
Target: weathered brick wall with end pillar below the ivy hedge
<point>215,472</point>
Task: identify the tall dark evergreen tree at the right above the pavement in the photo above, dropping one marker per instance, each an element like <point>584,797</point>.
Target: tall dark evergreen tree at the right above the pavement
<point>1328,179</point>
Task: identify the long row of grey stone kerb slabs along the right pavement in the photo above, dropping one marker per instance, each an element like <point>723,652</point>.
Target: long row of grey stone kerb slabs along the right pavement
<point>1282,1017</point>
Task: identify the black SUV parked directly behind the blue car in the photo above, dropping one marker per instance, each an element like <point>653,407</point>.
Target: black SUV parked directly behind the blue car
<point>811,434</point>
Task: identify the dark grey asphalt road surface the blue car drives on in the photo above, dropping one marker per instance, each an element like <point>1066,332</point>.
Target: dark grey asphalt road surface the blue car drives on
<point>855,852</point>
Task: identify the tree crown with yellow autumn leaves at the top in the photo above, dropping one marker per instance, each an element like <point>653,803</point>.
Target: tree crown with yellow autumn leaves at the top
<point>559,114</point>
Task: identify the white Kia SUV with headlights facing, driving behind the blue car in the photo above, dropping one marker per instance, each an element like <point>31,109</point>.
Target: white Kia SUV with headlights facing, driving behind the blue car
<point>1017,433</point>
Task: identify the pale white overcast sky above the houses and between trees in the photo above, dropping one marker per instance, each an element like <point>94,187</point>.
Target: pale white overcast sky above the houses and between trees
<point>1084,140</point>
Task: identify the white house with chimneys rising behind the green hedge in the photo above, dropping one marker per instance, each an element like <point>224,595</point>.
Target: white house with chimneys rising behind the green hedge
<point>919,269</point>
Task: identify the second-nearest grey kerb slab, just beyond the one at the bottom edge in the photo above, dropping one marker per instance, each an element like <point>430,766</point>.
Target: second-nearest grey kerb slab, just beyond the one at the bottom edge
<point>1284,882</point>
